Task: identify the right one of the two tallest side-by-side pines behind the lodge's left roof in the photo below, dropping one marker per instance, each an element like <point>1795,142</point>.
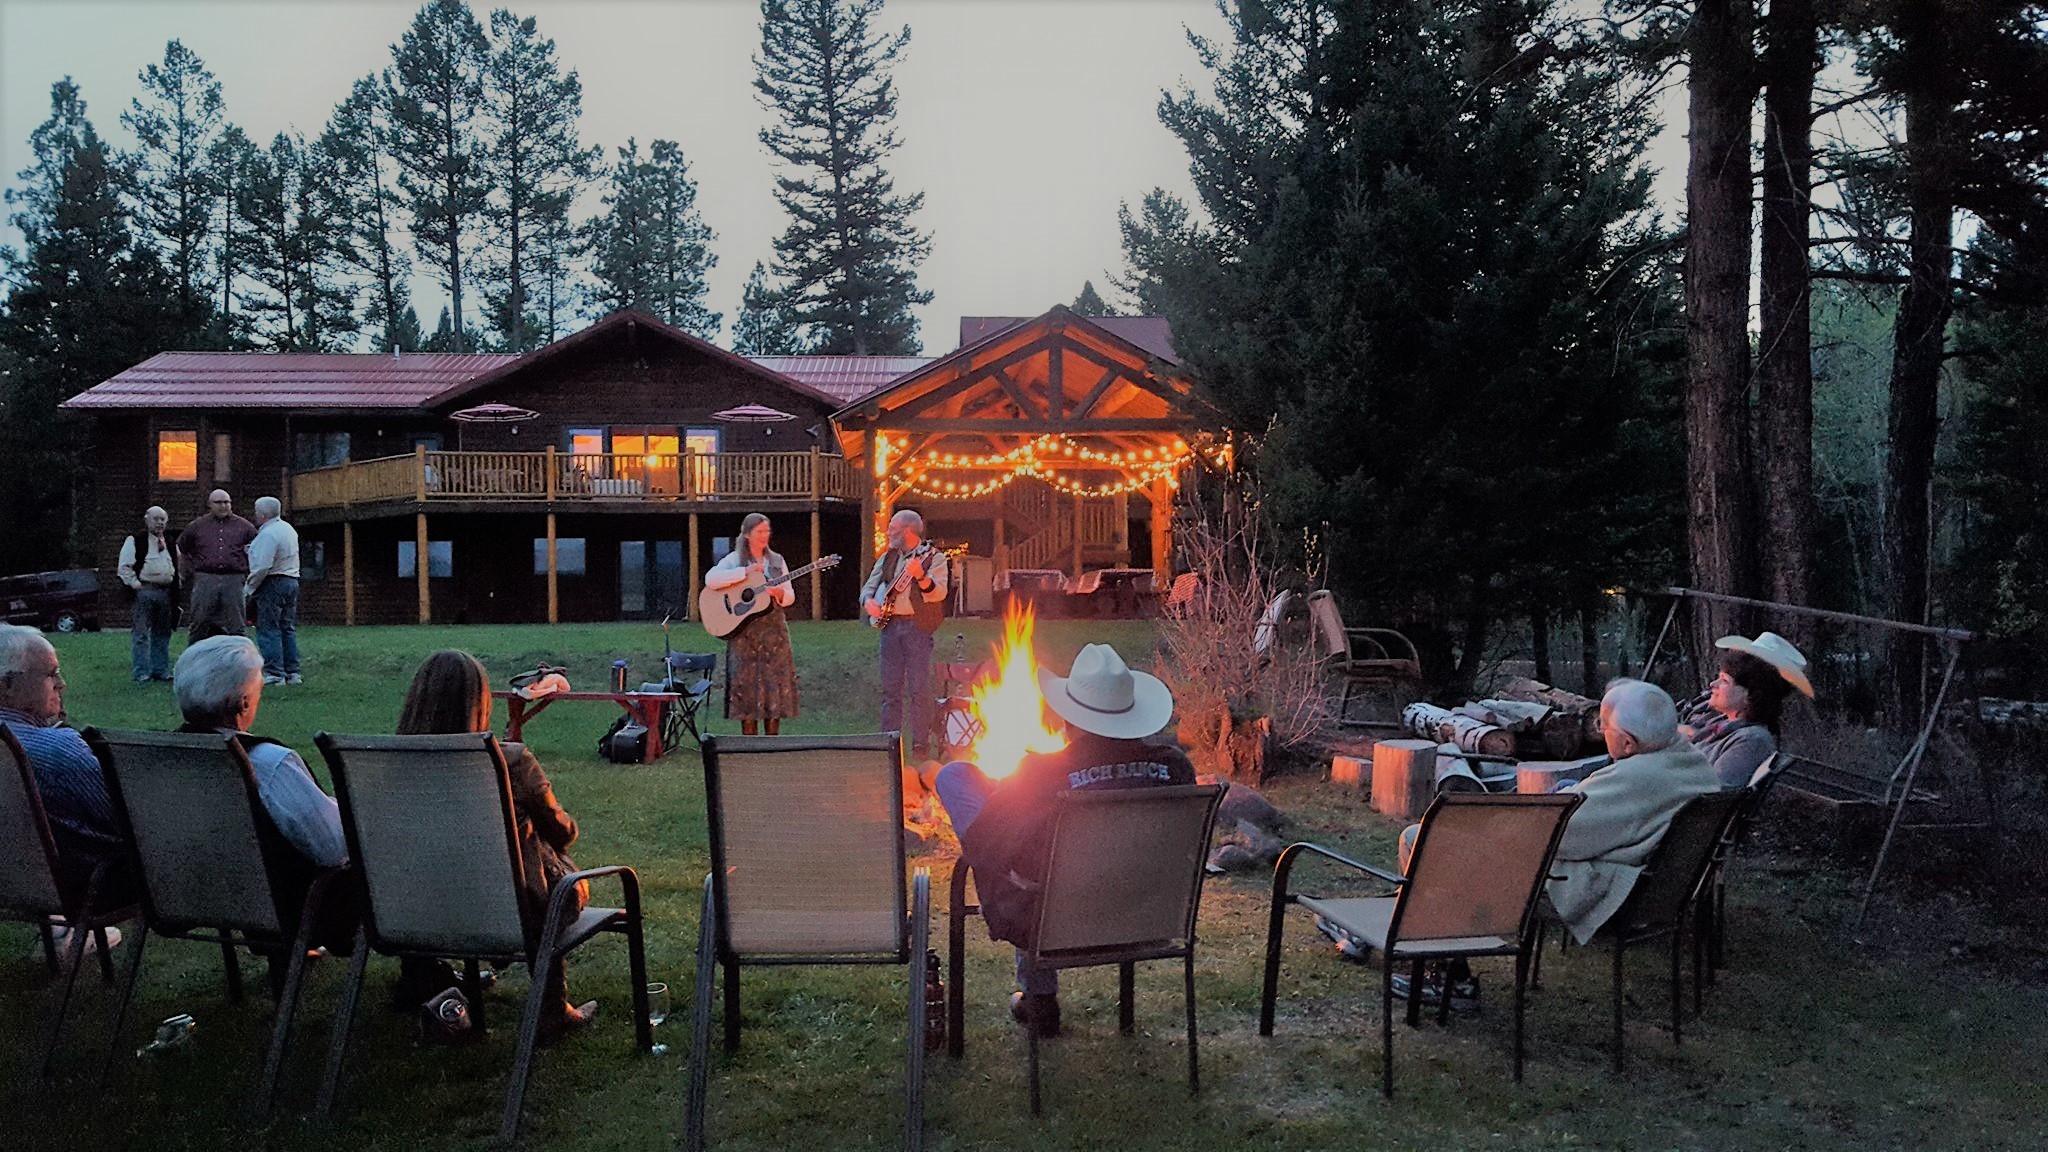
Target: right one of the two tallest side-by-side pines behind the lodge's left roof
<point>534,163</point>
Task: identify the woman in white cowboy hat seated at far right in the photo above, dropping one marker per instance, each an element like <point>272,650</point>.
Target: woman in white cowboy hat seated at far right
<point>1736,721</point>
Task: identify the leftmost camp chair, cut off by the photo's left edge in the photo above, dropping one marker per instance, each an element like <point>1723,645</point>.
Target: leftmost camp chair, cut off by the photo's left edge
<point>32,893</point>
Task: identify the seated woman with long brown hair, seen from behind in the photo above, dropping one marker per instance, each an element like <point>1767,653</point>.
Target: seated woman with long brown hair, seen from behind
<point>454,694</point>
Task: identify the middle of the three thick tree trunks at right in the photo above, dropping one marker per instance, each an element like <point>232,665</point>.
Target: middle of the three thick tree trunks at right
<point>1785,364</point>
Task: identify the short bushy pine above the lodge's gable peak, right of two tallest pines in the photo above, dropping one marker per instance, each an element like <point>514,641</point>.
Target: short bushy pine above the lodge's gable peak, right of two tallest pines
<point>650,249</point>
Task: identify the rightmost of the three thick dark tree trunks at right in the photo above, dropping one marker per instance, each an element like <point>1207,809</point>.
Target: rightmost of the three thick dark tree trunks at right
<point>1922,327</point>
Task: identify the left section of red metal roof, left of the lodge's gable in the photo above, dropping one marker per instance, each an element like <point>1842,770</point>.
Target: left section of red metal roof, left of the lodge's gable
<point>288,380</point>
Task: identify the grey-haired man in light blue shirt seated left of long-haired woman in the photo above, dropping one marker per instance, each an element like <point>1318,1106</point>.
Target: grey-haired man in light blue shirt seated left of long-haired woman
<point>220,686</point>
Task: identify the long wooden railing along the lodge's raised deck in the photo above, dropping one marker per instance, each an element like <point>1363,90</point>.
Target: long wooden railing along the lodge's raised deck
<point>490,477</point>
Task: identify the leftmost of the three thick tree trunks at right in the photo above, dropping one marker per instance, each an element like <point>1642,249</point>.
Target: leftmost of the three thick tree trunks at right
<point>1721,516</point>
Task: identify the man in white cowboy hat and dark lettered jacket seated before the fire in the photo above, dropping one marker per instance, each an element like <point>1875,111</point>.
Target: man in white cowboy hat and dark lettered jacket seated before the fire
<point>1007,825</point>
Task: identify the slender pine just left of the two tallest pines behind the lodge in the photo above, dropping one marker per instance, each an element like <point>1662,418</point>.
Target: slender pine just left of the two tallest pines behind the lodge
<point>357,140</point>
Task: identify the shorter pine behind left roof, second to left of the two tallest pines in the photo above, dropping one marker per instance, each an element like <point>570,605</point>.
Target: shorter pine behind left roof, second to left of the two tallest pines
<point>296,249</point>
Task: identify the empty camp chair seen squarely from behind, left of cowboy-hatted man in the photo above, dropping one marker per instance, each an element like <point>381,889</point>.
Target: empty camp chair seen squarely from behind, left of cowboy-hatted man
<point>806,868</point>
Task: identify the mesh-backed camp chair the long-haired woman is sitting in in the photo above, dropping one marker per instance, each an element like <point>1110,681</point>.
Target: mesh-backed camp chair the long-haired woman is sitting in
<point>433,835</point>
